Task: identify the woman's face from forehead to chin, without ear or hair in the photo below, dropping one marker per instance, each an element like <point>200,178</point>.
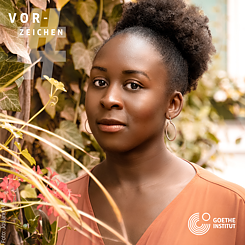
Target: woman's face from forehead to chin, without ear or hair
<point>126,100</point>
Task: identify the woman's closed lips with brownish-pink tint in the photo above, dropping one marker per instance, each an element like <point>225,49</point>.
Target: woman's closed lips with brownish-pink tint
<point>110,125</point>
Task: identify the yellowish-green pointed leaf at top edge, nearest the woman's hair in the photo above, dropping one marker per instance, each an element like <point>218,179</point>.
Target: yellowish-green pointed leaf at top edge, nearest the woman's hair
<point>87,10</point>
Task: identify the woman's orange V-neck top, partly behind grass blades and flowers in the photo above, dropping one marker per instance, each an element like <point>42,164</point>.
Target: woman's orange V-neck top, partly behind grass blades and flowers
<point>208,211</point>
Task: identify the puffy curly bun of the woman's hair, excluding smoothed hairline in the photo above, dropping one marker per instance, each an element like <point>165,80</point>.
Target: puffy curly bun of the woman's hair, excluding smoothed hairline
<point>184,25</point>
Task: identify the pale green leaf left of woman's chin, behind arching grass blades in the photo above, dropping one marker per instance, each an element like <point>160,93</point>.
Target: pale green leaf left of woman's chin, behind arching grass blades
<point>69,131</point>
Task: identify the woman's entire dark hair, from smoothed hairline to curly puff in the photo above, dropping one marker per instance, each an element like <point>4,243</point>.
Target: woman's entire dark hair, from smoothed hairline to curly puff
<point>178,31</point>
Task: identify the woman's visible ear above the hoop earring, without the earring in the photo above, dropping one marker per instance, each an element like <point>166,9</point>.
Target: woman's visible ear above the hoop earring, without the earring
<point>175,105</point>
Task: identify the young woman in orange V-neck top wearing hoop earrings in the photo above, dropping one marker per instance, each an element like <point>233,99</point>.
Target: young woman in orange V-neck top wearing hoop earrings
<point>159,49</point>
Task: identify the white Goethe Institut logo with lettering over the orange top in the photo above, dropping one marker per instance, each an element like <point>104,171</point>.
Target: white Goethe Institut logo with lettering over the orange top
<point>202,227</point>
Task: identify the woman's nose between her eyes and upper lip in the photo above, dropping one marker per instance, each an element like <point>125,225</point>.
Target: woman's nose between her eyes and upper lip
<point>112,98</point>
